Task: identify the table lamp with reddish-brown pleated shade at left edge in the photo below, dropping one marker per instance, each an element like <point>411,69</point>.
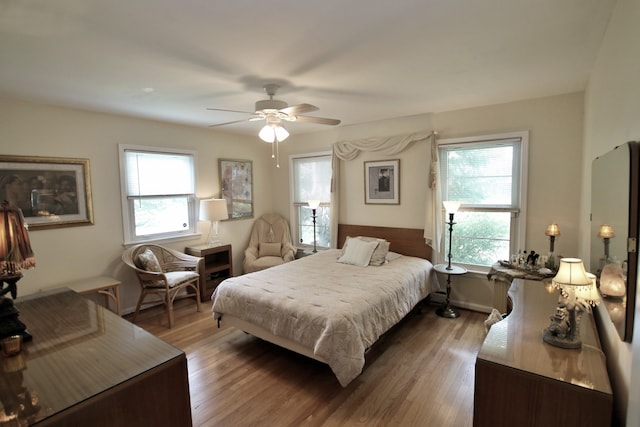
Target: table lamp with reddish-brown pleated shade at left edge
<point>15,255</point>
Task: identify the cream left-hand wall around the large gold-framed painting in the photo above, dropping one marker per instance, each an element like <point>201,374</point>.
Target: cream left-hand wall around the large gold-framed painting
<point>65,254</point>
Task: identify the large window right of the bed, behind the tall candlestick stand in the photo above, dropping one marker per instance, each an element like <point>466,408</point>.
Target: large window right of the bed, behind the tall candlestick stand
<point>488,175</point>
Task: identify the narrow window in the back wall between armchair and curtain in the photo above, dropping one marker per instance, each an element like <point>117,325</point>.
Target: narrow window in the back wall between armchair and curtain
<point>311,180</point>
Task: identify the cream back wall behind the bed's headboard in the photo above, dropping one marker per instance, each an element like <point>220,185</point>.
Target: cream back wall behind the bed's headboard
<point>555,147</point>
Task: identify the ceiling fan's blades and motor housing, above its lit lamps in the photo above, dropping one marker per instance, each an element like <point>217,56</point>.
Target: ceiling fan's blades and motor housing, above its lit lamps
<point>274,112</point>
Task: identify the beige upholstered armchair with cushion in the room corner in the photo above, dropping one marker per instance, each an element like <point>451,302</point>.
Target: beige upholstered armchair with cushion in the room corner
<point>270,244</point>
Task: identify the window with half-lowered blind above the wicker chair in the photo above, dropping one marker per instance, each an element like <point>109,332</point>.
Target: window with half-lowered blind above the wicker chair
<point>158,192</point>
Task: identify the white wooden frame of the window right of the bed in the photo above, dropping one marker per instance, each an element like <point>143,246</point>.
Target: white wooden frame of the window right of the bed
<point>518,212</point>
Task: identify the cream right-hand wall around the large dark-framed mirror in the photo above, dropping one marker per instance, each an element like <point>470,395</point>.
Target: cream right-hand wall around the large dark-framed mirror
<point>612,105</point>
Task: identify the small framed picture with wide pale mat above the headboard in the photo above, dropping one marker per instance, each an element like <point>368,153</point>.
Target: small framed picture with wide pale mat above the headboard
<point>382,182</point>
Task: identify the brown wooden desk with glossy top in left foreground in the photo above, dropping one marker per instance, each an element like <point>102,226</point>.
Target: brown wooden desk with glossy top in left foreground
<point>90,367</point>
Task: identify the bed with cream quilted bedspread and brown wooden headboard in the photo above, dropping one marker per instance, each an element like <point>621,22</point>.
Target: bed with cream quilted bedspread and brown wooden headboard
<point>328,310</point>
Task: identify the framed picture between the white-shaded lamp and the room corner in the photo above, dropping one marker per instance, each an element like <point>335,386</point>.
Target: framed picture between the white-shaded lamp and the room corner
<point>236,187</point>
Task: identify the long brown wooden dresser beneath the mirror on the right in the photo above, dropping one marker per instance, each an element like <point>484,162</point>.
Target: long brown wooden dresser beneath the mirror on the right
<point>520,380</point>
